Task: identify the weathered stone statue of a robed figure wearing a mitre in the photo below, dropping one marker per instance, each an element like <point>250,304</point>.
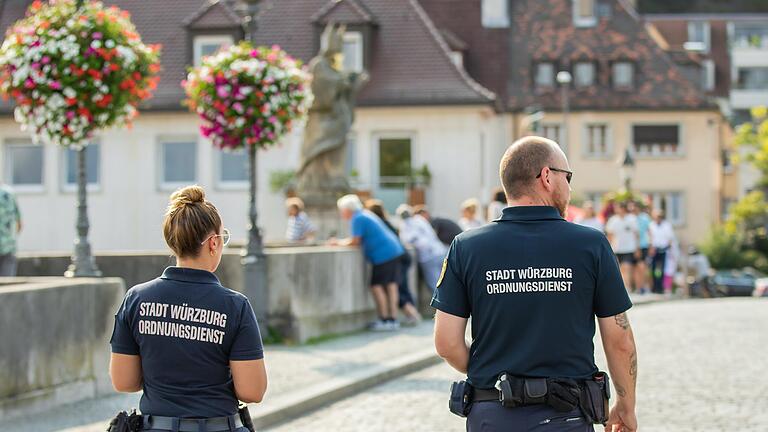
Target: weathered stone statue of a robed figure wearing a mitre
<point>321,177</point>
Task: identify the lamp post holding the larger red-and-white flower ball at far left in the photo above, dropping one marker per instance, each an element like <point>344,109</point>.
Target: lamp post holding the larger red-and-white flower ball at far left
<point>83,264</point>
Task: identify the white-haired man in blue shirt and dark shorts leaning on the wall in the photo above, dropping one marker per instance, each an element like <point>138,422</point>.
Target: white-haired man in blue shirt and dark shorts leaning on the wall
<point>382,248</point>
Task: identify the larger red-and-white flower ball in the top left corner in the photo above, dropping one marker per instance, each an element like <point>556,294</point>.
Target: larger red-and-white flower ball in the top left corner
<point>74,70</point>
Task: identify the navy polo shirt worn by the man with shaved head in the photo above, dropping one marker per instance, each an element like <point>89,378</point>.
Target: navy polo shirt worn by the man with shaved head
<point>533,284</point>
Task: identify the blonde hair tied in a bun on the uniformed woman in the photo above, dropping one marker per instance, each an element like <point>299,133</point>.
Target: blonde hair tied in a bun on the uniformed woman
<point>189,219</point>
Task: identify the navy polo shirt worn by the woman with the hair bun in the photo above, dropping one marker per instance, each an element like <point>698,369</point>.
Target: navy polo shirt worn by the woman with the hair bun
<point>187,327</point>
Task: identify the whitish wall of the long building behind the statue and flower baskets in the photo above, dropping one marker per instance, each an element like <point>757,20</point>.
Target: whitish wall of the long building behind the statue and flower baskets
<point>461,146</point>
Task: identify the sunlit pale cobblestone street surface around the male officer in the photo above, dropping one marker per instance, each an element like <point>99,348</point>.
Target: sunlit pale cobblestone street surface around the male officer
<point>702,366</point>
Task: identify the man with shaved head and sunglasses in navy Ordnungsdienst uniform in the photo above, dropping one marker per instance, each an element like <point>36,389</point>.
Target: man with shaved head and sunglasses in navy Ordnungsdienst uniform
<point>533,284</point>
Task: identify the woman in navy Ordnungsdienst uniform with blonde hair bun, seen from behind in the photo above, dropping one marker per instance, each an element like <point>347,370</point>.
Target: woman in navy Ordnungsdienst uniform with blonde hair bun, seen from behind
<point>190,344</point>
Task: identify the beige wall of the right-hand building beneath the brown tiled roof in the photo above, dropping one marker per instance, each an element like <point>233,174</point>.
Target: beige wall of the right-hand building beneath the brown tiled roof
<point>696,173</point>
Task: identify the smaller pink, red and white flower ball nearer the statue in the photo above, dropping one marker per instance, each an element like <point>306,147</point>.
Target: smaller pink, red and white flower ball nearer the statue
<point>248,96</point>
